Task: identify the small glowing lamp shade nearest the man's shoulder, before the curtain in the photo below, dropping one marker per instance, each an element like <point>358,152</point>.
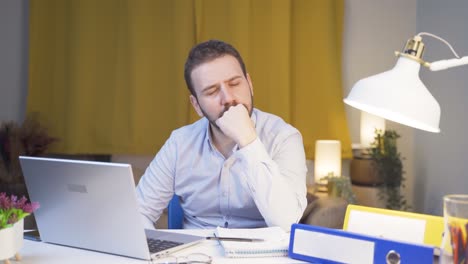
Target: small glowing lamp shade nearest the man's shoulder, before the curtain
<point>327,159</point>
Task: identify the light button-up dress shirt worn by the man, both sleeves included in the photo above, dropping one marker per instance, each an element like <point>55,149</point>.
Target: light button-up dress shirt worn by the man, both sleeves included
<point>262,184</point>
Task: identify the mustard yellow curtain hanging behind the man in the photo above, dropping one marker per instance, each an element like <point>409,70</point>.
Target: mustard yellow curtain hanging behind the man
<point>107,76</point>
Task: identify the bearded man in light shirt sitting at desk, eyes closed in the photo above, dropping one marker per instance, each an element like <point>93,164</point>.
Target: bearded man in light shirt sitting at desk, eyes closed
<point>237,166</point>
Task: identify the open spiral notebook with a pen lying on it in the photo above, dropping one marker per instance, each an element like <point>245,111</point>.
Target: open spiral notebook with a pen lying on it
<point>275,244</point>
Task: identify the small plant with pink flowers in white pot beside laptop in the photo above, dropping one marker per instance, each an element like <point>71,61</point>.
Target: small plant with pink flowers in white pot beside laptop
<point>12,213</point>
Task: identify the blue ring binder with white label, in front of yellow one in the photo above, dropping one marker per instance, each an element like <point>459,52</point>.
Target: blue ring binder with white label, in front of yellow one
<point>325,245</point>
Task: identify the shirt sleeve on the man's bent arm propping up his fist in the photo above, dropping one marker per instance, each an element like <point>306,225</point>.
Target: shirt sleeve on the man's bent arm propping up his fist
<point>277,182</point>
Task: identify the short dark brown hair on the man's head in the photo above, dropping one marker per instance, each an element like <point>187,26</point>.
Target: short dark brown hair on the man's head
<point>205,52</point>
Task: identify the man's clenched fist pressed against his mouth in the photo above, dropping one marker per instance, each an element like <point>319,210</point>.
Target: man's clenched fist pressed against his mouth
<point>236,124</point>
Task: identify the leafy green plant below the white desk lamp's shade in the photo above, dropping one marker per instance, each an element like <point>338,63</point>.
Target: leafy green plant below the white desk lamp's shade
<point>388,165</point>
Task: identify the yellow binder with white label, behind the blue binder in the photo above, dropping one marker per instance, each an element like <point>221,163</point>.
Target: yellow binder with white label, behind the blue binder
<point>392,224</point>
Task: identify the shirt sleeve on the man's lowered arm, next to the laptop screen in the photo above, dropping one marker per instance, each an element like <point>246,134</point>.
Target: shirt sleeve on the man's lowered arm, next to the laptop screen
<point>156,187</point>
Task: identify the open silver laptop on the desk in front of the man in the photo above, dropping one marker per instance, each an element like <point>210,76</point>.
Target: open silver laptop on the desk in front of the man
<point>92,205</point>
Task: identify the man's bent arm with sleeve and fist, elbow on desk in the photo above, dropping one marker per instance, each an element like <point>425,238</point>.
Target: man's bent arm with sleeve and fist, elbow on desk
<point>277,183</point>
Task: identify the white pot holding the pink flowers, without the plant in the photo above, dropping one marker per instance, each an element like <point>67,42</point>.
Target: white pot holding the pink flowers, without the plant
<point>11,241</point>
